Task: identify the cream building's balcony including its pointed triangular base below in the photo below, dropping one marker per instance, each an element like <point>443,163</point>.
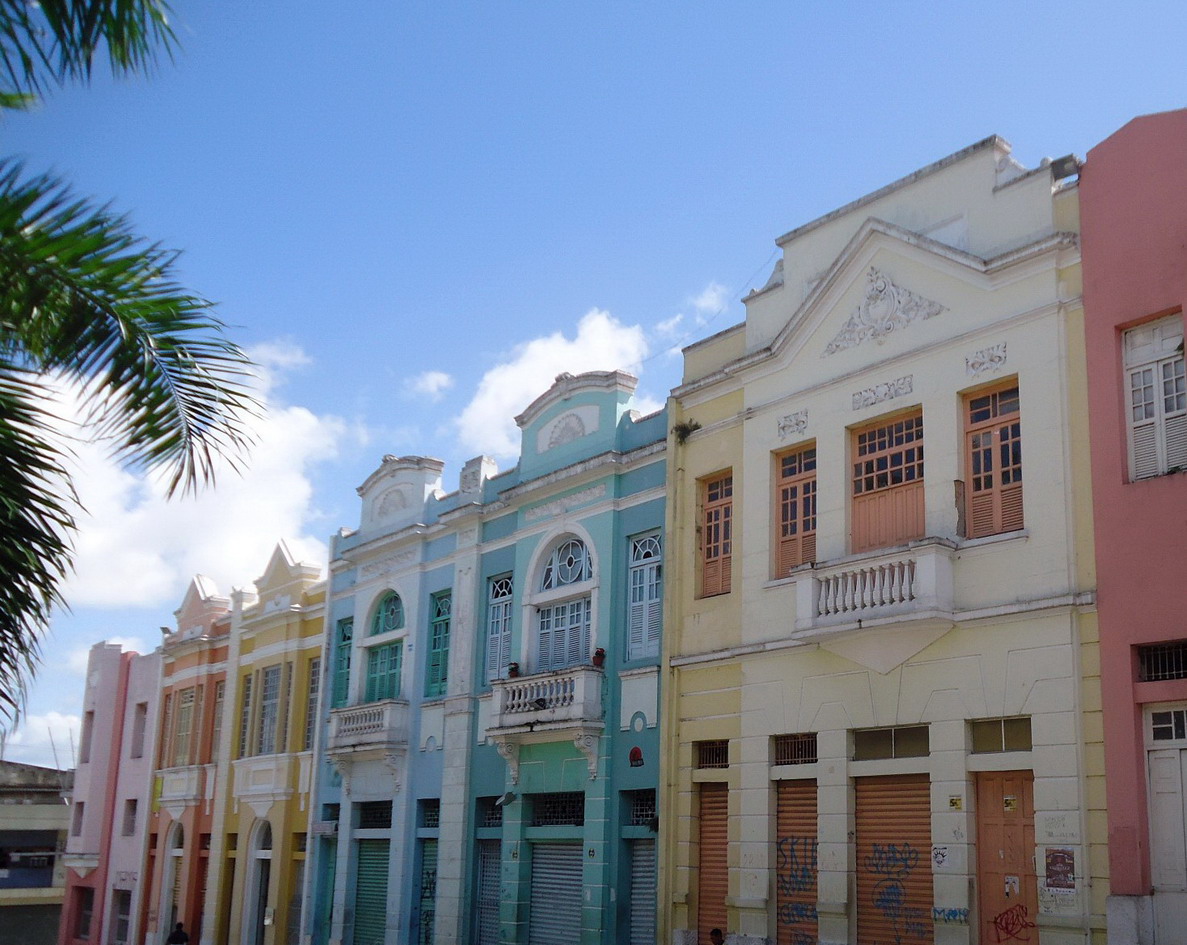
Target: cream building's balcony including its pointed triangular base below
<point>883,605</point>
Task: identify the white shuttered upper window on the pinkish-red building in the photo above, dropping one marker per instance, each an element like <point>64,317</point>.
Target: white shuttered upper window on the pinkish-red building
<point>1156,397</point>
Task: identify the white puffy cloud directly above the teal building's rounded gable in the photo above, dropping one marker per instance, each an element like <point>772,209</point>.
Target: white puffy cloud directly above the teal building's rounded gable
<point>487,424</point>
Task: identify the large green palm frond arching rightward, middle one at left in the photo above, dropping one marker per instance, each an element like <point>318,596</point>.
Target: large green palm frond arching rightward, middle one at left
<point>82,296</point>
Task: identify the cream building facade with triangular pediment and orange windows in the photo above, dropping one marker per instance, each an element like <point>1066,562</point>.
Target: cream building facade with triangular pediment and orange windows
<point>883,697</point>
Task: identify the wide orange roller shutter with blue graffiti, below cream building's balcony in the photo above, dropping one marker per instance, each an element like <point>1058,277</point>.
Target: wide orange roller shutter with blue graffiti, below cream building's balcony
<point>894,865</point>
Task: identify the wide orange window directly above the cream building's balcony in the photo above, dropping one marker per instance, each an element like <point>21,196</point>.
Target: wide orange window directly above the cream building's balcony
<point>888,483</point>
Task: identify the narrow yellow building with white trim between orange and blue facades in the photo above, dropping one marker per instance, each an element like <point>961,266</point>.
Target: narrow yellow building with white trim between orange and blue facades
<point>266,747</point>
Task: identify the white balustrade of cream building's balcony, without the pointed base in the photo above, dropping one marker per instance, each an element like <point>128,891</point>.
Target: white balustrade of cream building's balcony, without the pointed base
<point>898,586</point>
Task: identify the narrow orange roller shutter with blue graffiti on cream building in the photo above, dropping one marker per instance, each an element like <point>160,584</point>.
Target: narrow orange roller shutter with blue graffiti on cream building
<point>796,862</point>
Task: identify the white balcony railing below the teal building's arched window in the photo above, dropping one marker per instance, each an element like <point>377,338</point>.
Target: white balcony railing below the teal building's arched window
<point>554,701</point>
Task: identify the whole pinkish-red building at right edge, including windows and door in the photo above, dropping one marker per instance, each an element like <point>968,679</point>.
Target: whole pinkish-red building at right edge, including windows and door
<point>1134,217</point>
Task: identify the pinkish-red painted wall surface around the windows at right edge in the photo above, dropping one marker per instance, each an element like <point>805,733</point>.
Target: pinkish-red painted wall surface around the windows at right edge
<point>1134,242</point>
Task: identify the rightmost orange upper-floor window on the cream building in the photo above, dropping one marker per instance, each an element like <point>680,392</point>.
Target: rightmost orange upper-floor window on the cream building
<point>994,461</point>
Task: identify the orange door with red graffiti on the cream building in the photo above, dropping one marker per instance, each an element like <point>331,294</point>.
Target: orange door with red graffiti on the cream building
<point>1006,853</point>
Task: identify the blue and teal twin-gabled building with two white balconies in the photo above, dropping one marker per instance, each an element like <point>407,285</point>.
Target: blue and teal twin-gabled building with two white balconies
<point>490,752</point>
